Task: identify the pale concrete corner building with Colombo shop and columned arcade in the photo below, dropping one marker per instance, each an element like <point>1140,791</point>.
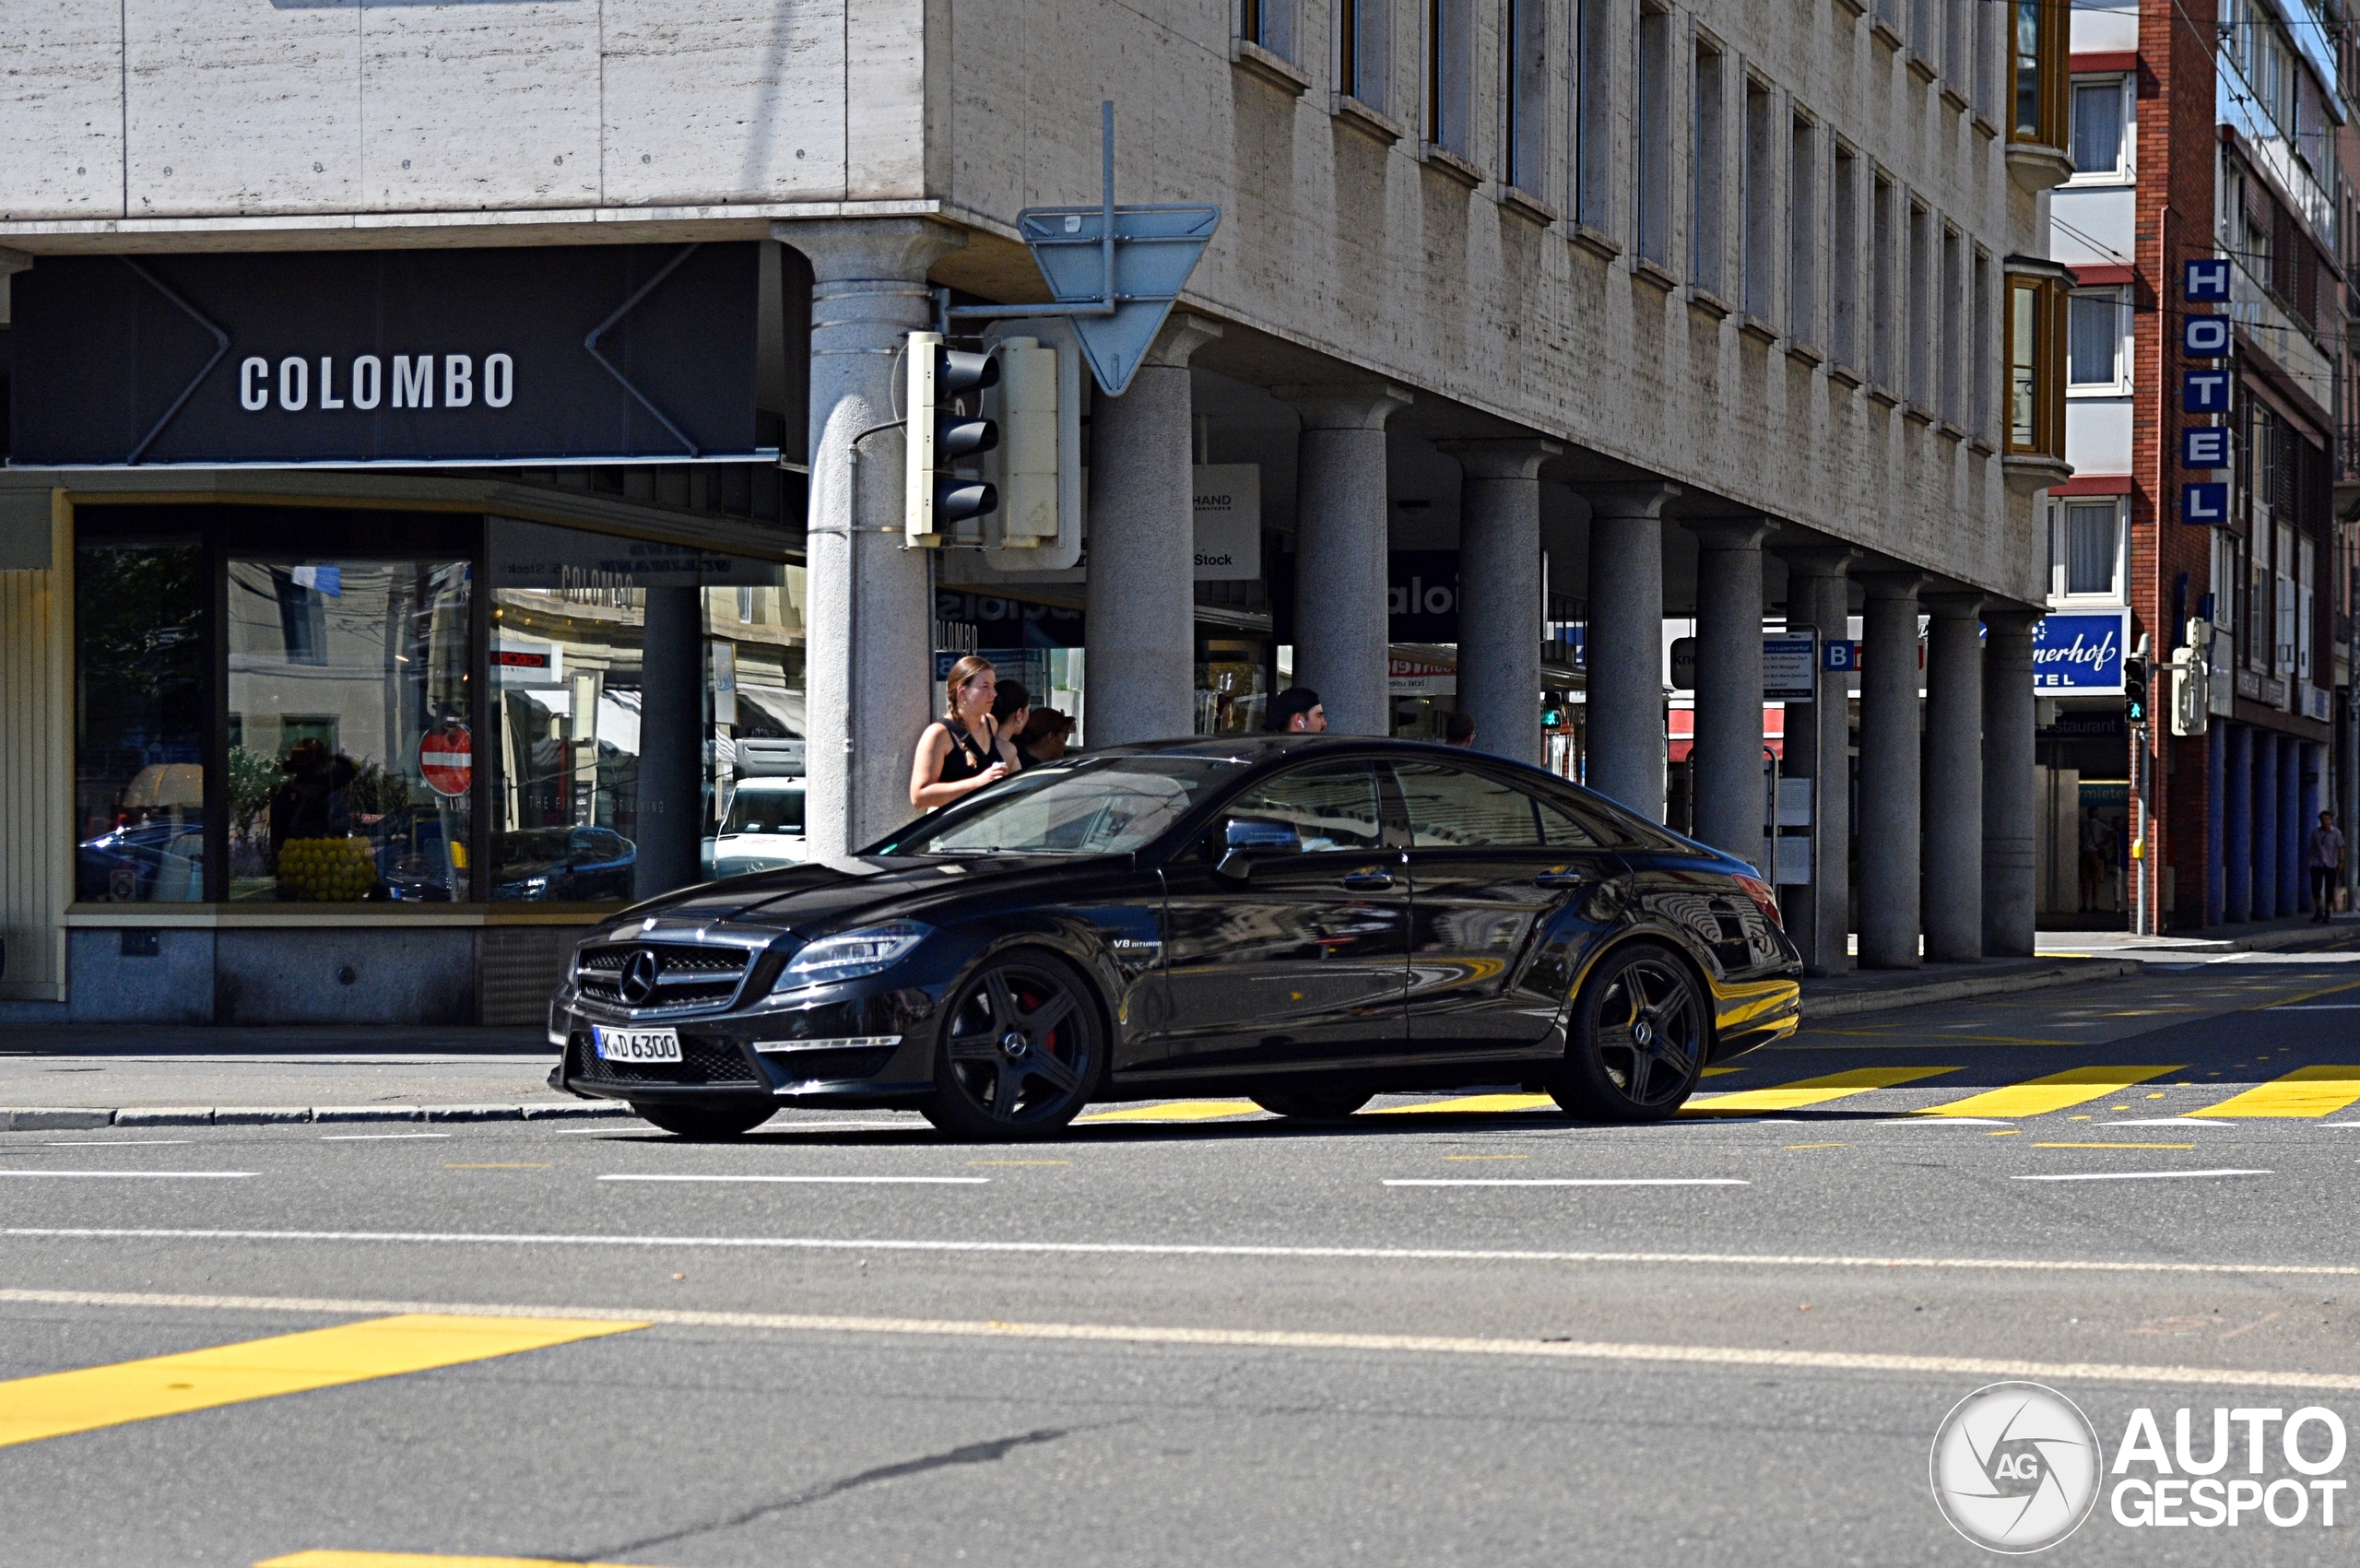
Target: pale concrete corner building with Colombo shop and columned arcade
<point>1618,311</point>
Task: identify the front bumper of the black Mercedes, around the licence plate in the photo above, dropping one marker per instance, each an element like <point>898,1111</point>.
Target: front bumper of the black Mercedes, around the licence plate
<point>839,1045</point>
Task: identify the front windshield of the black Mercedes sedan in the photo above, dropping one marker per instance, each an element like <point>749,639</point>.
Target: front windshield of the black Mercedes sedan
<point>1094,806</point>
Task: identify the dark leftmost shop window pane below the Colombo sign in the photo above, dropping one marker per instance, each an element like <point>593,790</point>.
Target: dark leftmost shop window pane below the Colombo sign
<point>140,724</point>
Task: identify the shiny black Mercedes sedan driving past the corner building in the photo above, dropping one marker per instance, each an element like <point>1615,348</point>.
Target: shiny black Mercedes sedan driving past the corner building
<point>1302,920</point>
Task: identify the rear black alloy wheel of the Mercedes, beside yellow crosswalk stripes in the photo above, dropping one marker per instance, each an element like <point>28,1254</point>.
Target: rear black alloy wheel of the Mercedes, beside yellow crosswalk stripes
<point>1639,1040</point>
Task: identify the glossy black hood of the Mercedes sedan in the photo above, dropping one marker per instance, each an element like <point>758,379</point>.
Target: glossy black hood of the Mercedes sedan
<point>815,899</point>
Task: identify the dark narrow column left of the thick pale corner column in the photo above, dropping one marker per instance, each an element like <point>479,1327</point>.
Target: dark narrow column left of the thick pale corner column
<point>671,740</point>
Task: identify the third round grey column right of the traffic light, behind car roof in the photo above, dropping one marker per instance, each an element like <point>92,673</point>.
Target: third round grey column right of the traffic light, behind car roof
<point>1500,594</point>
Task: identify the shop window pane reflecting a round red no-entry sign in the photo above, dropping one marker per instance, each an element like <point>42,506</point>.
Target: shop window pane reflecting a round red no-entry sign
<point>350,759</point>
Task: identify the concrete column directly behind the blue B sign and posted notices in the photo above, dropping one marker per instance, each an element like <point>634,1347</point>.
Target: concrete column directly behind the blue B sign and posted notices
<point>1821,750</point>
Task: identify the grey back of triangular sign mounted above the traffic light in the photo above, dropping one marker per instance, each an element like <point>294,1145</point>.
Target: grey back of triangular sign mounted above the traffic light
<point>1155,251</point>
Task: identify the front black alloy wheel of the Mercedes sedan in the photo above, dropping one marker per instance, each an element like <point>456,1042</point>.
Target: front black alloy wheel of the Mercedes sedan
<point>1021,1052</point>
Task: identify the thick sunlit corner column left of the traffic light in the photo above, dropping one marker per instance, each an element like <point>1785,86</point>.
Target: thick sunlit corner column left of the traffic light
<point>870,643</point>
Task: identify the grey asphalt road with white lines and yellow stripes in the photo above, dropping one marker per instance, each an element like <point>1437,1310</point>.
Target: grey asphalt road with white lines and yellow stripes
<point>1193,1333</point>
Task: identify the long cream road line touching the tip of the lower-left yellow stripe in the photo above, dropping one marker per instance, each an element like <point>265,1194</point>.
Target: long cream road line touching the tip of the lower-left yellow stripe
<point>1271,1340</point>
